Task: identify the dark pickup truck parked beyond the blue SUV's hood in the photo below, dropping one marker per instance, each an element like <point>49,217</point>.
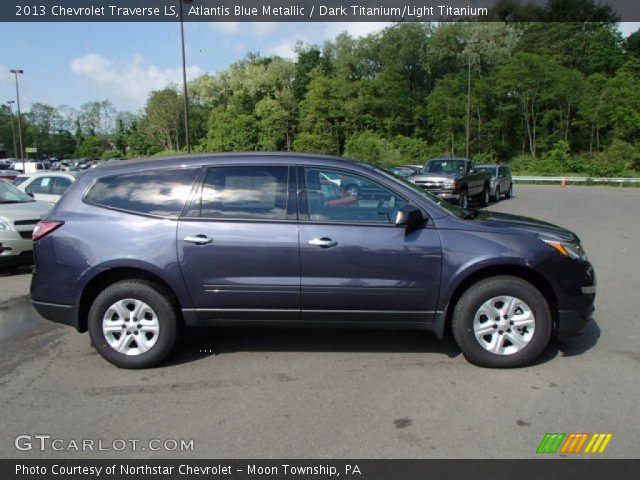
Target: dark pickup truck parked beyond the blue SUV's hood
<point>455,180</point>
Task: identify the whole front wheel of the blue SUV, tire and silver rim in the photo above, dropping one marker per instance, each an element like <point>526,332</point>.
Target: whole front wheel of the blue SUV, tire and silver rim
<point>502,322</point>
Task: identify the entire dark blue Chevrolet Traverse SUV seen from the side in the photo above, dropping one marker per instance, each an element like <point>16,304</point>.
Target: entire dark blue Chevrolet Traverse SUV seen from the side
<point>135,251</point>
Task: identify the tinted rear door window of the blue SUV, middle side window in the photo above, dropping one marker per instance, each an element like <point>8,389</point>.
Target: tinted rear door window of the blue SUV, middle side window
<point>252,192</point>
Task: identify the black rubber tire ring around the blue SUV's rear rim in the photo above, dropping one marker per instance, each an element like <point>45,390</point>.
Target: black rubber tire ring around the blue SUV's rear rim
<point>155,297</point>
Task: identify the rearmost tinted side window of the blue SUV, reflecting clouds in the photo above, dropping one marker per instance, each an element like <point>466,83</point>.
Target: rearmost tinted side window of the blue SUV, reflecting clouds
<point>152,192</point>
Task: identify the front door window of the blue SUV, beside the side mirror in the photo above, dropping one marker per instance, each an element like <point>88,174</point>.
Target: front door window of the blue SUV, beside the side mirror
<point>357,199</point>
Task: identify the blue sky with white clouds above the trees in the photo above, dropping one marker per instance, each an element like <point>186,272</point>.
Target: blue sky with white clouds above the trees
<point>73,63</point>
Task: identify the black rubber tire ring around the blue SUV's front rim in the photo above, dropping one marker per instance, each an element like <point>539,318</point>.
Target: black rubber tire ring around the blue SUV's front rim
<point>479,293</point>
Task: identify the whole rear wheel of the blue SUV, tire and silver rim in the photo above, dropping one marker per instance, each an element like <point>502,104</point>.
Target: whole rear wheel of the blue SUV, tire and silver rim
<point>132,324</point>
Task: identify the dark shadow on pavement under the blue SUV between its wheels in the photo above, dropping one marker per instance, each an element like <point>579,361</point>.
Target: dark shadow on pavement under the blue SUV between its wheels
<point>199,343</point>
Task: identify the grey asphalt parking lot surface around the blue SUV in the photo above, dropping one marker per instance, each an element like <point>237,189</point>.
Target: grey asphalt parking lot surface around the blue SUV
<point>346,394</point>
